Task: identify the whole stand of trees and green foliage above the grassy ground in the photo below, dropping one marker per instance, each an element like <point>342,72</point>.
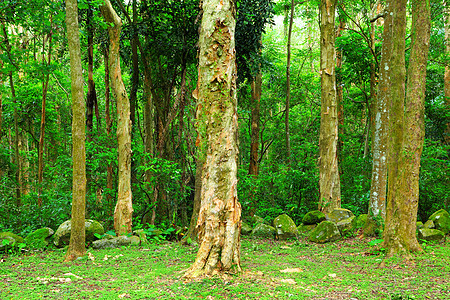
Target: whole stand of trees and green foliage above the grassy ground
<point>193,120</point>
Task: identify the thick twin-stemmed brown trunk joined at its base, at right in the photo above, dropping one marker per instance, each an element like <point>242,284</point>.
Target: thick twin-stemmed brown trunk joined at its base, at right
<point>407,129</point>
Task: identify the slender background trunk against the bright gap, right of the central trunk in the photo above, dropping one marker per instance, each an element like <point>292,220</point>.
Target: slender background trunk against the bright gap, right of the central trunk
<point>288,86</point>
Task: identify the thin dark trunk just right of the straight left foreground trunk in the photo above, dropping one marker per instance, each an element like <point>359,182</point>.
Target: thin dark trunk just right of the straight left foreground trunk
<point>91,98</point>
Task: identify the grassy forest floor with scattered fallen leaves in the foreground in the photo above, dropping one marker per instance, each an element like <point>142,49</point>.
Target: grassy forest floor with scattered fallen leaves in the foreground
<point>348,269</point>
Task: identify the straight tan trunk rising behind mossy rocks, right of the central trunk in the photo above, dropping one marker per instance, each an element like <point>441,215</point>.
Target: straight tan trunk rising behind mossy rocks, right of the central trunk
<point>329,181</point>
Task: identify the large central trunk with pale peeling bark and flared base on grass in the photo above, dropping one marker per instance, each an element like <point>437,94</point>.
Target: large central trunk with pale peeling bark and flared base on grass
<point>219,219</point>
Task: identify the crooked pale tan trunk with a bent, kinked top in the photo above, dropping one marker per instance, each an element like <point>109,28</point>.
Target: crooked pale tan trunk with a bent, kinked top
<point>124,208</point>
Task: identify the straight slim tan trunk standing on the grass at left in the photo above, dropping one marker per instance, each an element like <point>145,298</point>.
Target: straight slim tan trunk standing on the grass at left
<point>78,236</point>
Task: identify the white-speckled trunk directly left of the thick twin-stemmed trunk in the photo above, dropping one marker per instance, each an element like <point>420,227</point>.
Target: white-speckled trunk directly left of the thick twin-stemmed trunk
<point>377,201</point>
